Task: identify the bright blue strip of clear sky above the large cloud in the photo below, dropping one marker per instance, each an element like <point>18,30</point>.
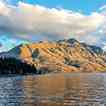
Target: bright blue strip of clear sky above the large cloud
<point>85,6</point>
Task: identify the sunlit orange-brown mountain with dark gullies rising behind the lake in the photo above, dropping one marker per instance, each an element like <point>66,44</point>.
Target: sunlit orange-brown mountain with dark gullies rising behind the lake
<point>60,56</point>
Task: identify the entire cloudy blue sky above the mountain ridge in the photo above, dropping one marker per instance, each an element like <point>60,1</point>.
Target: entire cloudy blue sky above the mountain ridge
<point>24,21</point>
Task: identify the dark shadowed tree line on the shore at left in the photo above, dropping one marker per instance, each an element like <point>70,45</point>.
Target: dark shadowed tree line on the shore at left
<point>15,66</point>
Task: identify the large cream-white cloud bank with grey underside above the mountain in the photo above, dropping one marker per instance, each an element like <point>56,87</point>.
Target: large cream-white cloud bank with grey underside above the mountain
<point>27,19</point>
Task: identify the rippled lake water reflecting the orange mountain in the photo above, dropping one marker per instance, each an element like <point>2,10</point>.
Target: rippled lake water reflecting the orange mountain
<point>54,90</point>
